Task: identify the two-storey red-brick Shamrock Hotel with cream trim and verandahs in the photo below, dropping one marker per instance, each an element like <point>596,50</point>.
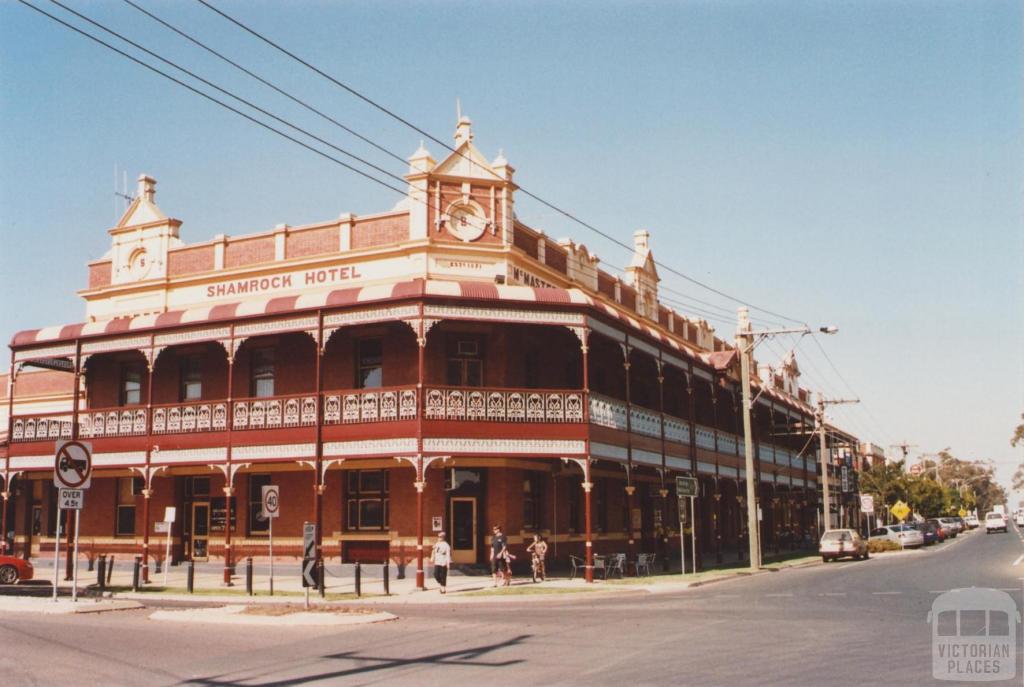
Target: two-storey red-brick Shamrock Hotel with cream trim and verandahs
<point>438,365</point>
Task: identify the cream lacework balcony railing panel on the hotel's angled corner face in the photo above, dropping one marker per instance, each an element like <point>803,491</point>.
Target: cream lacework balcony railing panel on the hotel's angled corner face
<point>503,405</point>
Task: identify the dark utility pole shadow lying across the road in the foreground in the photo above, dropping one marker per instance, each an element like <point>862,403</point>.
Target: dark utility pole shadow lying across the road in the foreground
<point>474,657</point>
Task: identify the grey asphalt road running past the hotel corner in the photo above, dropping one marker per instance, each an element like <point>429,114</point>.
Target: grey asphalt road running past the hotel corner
<point>846,623</point>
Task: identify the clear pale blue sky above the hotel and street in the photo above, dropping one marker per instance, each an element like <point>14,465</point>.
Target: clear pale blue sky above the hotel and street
<point>849,163</point>
